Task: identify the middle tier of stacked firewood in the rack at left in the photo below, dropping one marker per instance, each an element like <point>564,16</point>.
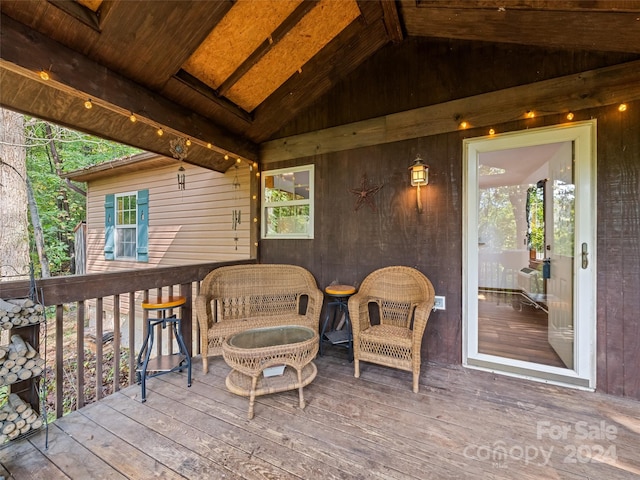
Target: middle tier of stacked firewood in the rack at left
<point>19,361</point>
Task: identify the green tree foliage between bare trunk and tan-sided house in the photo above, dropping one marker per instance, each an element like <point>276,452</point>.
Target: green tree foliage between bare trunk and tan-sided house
<point>60,207</point>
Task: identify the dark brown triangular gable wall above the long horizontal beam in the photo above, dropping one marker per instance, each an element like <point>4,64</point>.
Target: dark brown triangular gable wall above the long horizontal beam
<point>420,72</point>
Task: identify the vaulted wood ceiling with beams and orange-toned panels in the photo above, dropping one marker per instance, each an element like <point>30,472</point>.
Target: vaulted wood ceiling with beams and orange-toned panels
<point>228,74</point>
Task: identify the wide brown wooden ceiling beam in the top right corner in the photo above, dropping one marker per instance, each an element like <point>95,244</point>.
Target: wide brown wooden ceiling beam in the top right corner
<point>594,30</point>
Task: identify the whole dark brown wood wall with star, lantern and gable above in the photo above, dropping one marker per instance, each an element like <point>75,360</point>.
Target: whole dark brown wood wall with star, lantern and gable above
<point>348,244</point>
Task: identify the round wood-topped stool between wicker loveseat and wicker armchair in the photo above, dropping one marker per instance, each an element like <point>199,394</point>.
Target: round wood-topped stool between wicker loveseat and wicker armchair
<point>336,327</point>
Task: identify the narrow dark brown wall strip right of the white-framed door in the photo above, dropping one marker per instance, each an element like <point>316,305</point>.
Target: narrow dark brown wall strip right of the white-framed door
<point>618,327</point>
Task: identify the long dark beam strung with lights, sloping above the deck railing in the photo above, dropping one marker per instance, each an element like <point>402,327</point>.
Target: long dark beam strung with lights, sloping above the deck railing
<point>25,52</point>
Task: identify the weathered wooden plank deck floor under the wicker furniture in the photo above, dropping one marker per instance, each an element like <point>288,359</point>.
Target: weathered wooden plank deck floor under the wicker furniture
<point>462,424</point>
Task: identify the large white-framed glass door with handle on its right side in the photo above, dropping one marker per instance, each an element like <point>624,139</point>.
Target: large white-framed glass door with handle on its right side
<point>570,213</point>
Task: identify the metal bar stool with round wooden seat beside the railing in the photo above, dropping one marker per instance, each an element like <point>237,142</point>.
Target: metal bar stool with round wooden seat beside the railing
<point>152,367</point>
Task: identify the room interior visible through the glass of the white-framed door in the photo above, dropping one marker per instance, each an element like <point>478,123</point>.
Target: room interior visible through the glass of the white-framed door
<point>514,230</point>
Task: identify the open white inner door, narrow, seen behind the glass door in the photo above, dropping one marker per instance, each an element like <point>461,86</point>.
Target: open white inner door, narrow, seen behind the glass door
<point>560,248</point>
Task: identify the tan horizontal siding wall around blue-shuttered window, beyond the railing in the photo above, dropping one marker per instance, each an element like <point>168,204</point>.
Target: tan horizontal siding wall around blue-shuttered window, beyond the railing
<point>185,226</point>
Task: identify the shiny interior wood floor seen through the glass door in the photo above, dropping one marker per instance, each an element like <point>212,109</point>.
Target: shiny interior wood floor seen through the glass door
<point>519,333</point>
